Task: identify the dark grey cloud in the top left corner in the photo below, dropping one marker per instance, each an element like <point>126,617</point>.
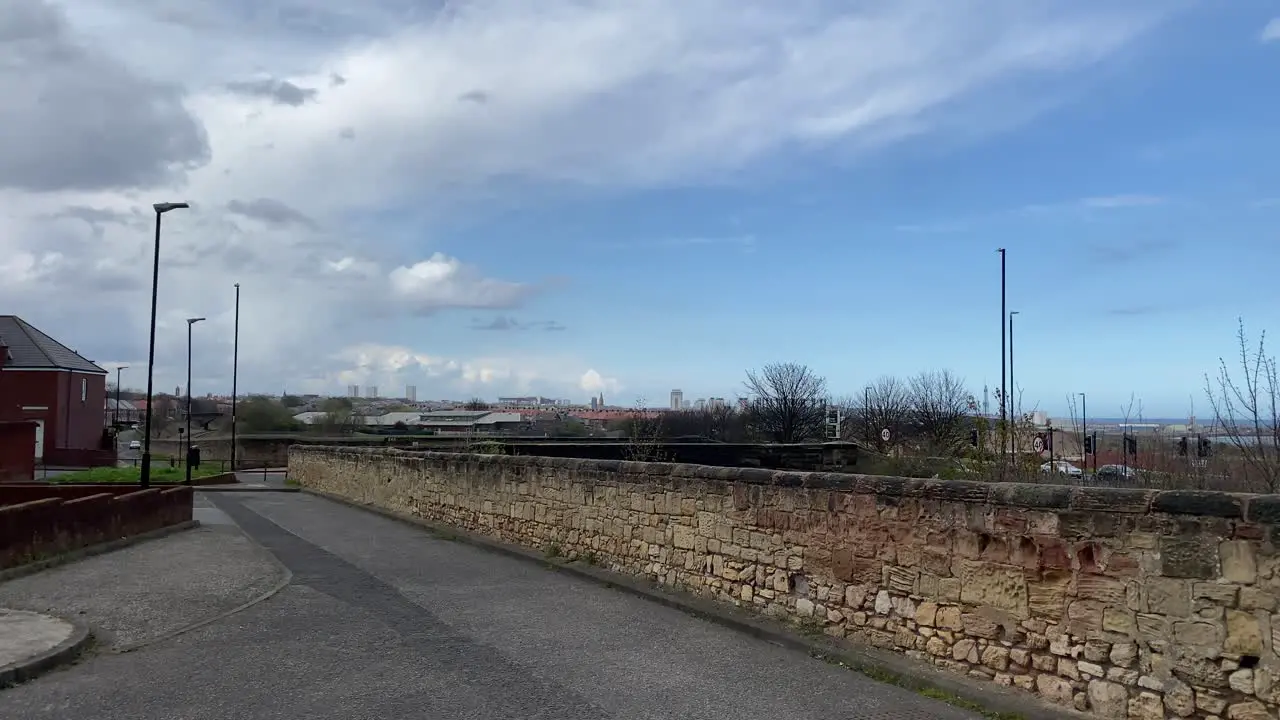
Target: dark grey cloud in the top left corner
<point>75,119</point>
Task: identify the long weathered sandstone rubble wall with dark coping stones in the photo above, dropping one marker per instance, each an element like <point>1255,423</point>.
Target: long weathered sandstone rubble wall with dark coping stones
<point>1119,603</point>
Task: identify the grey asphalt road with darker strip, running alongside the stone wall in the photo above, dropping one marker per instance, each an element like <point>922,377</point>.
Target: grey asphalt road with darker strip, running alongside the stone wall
<point>383,621</point>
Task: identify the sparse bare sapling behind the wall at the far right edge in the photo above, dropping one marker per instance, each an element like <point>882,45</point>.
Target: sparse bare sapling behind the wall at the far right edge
<point>1249,412</point>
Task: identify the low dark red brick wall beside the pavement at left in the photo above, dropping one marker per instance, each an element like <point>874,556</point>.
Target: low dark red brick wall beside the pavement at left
<point>76,517</point>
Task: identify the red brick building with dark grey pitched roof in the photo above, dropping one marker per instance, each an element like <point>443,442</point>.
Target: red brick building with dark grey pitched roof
<point>45,382</point>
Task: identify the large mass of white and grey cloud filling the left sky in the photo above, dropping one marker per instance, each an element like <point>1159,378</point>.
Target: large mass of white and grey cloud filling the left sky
<point>437,112</point>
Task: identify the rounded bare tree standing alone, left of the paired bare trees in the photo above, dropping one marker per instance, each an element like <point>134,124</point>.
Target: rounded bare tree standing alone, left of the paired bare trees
<point>788,402</point>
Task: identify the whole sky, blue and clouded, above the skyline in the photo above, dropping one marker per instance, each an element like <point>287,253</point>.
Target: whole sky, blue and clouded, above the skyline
<point>570,198</point>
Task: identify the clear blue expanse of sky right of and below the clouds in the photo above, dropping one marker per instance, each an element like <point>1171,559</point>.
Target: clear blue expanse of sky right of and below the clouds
<point>1141,216</point>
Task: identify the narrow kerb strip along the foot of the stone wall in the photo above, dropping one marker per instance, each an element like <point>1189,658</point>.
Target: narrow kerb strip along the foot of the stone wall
<point>877,664</point>
